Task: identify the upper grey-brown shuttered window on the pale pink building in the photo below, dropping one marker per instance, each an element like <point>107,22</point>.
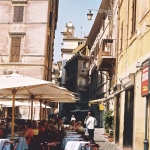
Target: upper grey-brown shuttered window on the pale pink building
<point>18,13</point>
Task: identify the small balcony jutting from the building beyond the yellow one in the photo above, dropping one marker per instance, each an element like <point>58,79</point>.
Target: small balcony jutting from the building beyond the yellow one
<point>106,56</point>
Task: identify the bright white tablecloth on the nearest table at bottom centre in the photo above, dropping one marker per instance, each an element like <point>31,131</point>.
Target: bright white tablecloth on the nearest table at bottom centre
<point>75,145</point>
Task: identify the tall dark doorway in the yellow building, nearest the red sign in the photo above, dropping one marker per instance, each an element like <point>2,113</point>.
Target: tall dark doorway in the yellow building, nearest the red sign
<point>128,118</point>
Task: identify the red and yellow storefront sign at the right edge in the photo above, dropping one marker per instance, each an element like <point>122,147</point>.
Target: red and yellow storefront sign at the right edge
<point>145,78</point>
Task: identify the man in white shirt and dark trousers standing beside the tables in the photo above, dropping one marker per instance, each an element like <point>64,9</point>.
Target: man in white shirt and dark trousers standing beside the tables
<point>90,125</point>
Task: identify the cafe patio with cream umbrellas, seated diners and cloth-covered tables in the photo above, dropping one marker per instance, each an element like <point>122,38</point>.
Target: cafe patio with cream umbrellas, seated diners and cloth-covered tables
<point>40,134</point>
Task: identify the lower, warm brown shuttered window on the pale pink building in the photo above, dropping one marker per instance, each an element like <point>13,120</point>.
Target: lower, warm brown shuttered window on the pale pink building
<point>15,49</point>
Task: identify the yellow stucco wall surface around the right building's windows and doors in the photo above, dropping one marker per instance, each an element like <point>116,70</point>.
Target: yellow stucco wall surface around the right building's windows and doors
<point>135,49</point>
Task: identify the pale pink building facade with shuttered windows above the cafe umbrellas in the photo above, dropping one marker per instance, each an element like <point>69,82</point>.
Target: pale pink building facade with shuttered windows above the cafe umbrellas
<point>27,31</point>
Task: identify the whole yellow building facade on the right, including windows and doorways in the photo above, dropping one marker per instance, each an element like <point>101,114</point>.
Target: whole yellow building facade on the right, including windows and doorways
<point>133,51</point>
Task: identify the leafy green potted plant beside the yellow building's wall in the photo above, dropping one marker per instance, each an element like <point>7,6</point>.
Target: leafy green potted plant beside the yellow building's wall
<point>108,120</point>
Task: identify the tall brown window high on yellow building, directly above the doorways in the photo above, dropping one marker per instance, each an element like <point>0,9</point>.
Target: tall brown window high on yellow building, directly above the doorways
<point>133,29</point>
